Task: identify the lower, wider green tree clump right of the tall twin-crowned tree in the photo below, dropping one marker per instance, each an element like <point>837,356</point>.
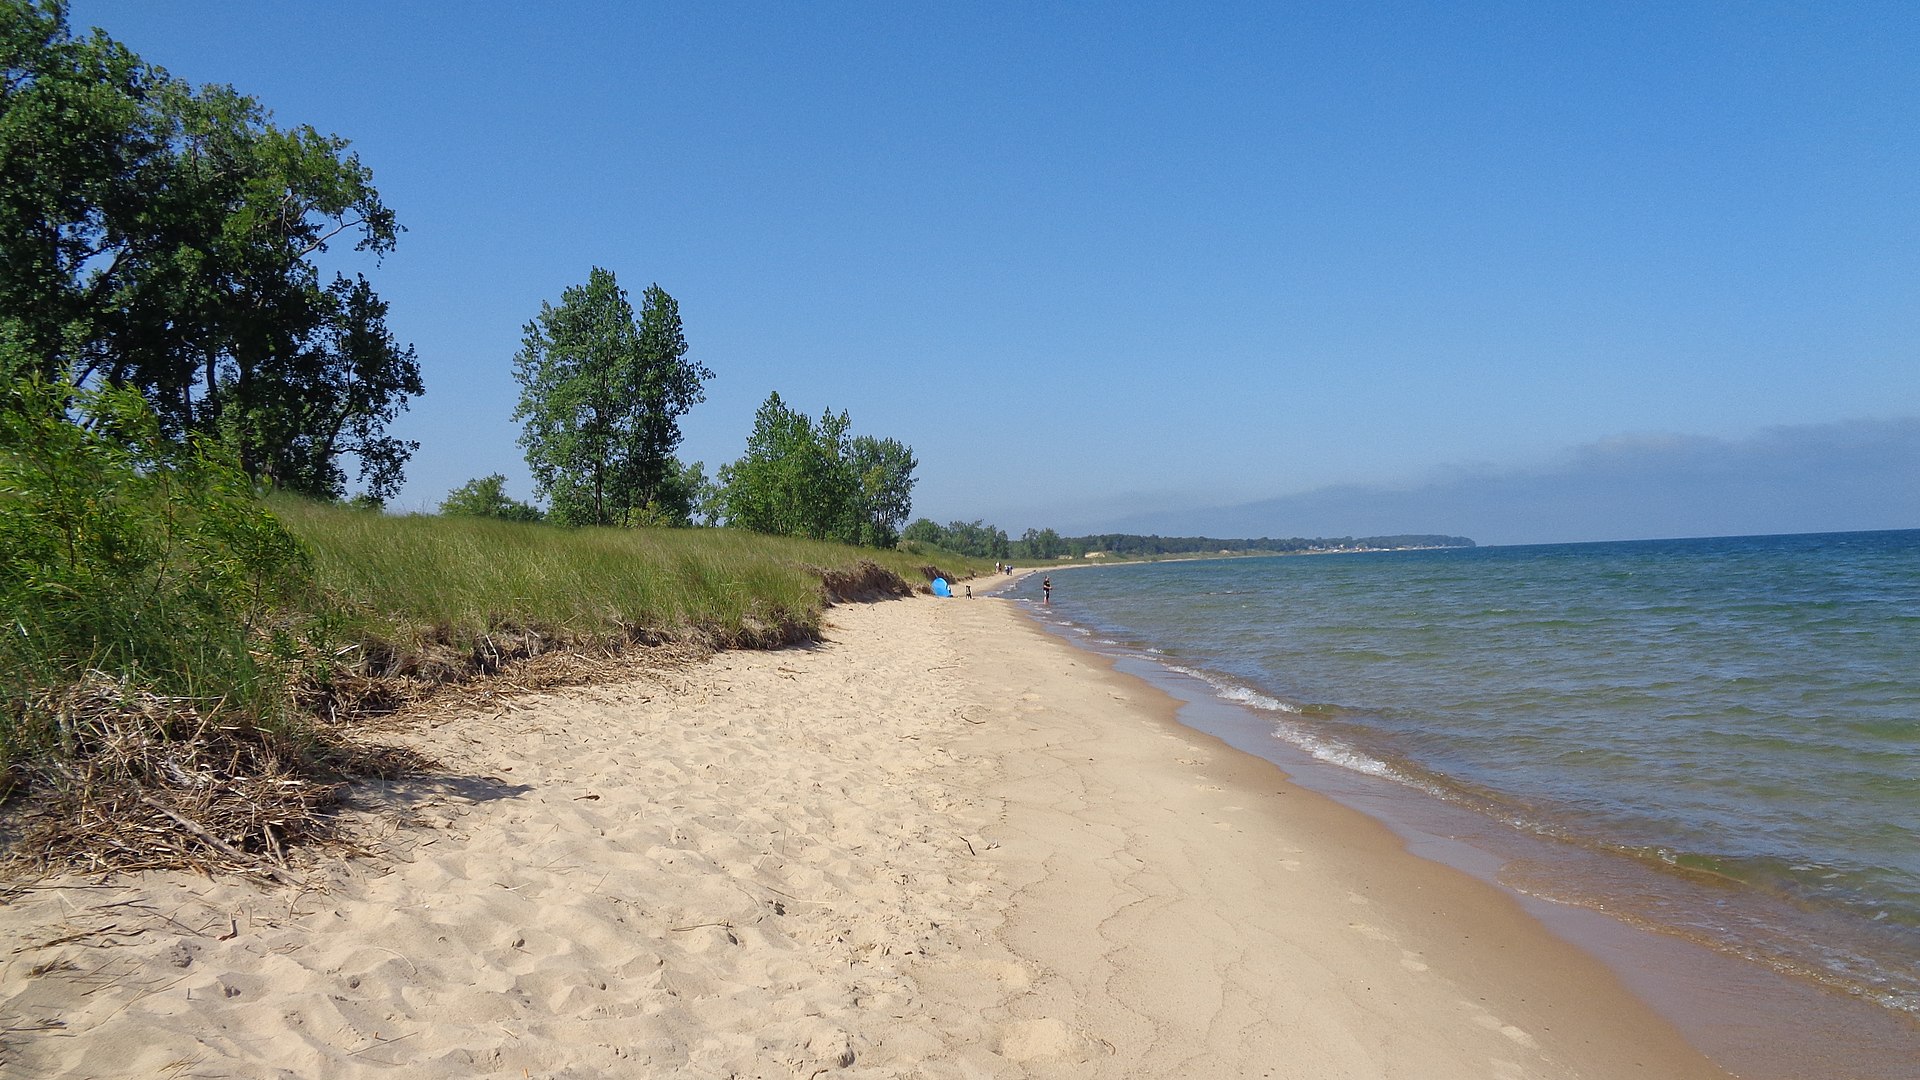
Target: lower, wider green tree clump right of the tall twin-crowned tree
<point>804,478</point>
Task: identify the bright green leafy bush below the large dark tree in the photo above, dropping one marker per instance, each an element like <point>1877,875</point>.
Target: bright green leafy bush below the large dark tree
<point>137,556</point>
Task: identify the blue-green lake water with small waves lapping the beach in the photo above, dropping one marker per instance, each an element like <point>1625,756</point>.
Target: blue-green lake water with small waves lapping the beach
<point>1723,737</point>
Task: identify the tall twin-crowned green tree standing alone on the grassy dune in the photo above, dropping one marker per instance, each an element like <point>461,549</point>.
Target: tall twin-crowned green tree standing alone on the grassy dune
<point>602,395</point>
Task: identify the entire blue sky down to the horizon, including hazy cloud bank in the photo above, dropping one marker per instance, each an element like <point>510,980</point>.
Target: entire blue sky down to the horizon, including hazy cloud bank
<point>1303,268</point>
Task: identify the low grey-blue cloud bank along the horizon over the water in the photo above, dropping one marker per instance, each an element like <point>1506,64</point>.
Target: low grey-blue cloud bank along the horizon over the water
<point>1835,478</point>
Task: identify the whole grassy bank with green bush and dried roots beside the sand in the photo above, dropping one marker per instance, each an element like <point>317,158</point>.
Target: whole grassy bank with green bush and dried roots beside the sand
<point>176,654</point>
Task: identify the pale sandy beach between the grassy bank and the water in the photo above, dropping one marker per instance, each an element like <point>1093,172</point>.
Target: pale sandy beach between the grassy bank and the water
<point>938,845</point>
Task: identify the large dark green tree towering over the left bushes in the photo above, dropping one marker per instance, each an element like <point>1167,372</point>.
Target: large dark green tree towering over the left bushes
<point>160,237</point>
